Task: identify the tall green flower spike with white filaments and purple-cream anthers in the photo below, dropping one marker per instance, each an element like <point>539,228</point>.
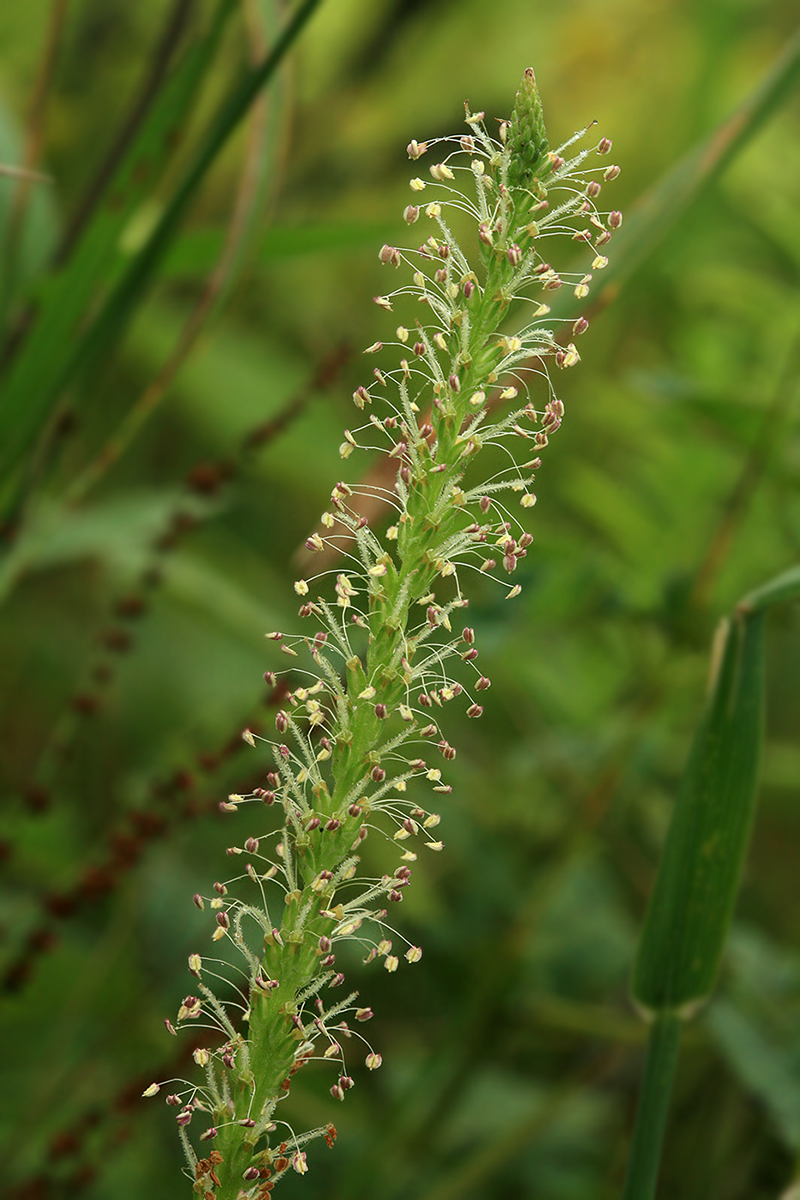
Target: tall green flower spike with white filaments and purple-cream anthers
<point>389,649</point>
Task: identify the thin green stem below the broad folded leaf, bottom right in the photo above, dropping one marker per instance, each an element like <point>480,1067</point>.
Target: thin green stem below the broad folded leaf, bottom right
<point>654,1105</point>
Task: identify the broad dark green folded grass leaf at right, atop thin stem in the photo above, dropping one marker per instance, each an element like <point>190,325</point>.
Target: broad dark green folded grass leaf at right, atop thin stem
<point>696,890</point>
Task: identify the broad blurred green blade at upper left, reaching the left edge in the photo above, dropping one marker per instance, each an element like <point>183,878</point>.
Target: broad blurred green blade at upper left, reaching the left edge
<point>47,361</point>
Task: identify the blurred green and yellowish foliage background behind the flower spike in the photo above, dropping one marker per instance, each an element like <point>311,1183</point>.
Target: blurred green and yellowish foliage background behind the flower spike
<point>148,547</point>
